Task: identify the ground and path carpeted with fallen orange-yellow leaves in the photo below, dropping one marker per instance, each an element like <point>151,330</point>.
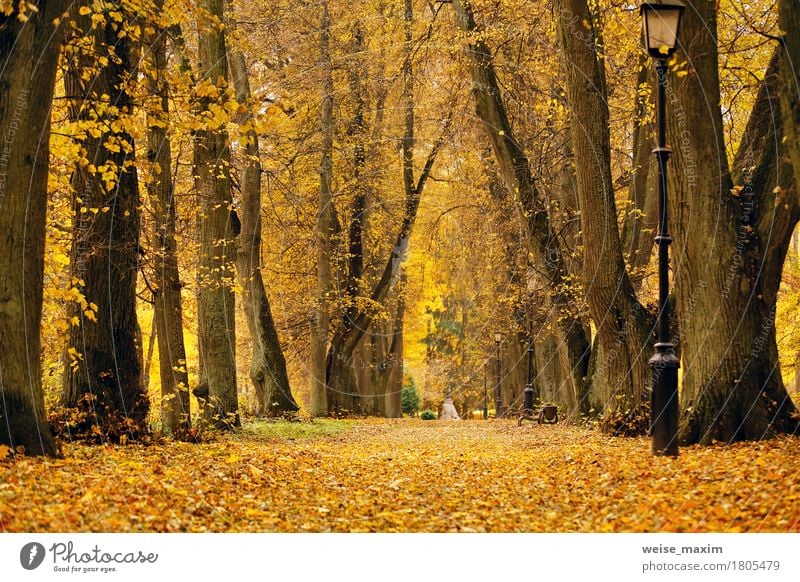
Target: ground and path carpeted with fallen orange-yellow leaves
<point>406,475</point>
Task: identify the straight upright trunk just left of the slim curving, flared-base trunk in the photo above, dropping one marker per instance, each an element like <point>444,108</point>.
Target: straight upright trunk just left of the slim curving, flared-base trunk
<point>217,229</point>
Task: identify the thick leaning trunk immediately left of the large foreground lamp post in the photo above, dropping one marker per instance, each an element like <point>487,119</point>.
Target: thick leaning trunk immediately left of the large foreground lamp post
<point>623,326</point>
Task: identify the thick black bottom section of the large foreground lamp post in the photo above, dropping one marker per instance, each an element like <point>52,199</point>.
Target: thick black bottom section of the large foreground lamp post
<point>664,401</point>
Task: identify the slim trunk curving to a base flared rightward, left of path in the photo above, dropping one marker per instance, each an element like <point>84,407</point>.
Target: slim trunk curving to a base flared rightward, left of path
<point>268,368</point>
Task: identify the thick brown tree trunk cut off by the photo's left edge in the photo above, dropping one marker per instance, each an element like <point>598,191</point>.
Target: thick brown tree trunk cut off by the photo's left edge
<point>28,57</point>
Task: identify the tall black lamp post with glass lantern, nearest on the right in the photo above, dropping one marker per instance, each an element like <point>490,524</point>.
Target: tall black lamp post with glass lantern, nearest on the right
<point>661,19</point>
